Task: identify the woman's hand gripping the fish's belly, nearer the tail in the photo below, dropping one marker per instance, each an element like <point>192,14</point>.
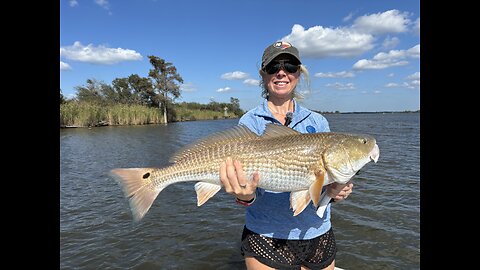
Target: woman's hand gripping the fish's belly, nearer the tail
<point>235,181</point>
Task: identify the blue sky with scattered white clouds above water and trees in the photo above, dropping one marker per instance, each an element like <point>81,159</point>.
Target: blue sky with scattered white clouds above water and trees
<point>362,55</point>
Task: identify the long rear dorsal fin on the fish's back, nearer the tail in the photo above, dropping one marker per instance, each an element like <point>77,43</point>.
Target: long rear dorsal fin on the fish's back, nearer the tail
<point>236,134</point>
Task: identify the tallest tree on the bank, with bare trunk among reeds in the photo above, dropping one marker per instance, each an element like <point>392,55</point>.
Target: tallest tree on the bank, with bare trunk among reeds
<point>165,78</point>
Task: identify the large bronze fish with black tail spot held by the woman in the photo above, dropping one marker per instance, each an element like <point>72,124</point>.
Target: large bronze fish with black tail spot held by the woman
<point>287,161</point>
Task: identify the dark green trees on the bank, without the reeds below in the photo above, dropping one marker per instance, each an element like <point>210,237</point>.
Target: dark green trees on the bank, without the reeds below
<point>159,90</point>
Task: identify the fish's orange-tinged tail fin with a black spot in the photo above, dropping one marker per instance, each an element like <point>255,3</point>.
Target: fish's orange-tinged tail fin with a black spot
<point>136,185</point>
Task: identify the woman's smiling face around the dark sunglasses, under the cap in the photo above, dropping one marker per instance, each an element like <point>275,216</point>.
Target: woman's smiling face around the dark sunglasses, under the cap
<point>281,83</point>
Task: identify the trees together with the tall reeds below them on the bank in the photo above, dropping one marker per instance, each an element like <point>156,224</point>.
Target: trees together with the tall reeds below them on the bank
<point>136,100</point>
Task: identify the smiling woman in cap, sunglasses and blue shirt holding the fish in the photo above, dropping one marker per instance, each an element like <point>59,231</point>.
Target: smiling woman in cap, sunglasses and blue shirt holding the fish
<point>272,236</point>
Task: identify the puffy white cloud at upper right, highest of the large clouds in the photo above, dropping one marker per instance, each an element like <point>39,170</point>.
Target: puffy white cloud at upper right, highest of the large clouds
<point>391,21</point>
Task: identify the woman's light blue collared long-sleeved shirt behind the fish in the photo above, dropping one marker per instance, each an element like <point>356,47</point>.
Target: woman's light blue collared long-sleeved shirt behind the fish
<point>270,214</point>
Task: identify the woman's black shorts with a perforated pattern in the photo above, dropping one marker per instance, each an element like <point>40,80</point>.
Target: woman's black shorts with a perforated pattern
<point>316,253</point>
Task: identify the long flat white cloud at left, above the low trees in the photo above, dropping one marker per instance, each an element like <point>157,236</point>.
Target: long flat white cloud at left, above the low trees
<point>99,54</point>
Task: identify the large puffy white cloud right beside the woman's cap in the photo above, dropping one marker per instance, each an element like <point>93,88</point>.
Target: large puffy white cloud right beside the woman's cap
<point>320,42</point>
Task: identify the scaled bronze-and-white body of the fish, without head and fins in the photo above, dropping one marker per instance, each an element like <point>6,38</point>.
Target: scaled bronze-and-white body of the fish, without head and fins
<point>277,163</point>
